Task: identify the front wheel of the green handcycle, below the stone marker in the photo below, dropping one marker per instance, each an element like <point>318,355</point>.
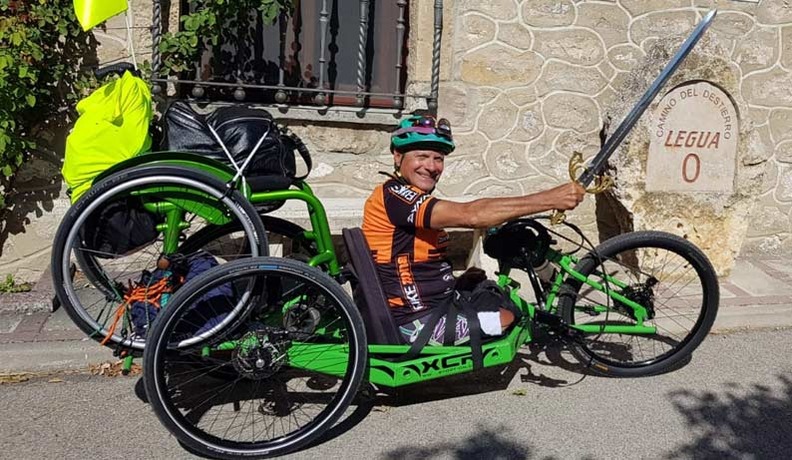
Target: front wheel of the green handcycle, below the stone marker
<point>667,275</point>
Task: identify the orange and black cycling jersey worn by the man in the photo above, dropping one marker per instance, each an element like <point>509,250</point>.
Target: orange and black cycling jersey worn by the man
<point>410,256</point>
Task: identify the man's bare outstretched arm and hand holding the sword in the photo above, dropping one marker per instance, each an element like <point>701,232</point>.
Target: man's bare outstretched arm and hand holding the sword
<point>488,212</point>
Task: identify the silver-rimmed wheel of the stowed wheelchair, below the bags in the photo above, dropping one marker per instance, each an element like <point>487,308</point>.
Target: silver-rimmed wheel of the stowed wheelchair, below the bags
<point>93,294</point>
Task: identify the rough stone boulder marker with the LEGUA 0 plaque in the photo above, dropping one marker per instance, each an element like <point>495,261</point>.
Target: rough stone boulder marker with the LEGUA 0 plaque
<point>710,202</point>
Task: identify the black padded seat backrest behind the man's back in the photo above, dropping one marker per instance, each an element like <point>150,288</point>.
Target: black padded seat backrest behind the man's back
<point>368,293</point>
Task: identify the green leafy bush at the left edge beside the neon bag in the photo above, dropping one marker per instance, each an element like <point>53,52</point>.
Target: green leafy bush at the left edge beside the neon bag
<point>41,47</point>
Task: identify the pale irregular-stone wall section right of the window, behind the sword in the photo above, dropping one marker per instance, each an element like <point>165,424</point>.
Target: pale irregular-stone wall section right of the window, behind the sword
<point>533,81</point>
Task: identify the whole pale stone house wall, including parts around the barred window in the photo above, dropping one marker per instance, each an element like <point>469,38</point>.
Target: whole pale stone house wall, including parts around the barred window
<point>525,83</point>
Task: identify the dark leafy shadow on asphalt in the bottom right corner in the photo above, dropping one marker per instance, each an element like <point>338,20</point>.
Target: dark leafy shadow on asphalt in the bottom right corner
<point>737,421</point>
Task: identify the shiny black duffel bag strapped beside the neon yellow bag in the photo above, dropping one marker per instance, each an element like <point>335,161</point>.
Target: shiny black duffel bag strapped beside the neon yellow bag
<point>241,129</point>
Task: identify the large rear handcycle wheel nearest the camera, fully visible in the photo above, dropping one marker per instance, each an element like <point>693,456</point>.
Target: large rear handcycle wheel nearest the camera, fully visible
<point>268,384</point>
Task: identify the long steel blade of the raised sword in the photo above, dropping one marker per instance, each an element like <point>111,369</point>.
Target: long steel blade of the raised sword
<point>598,163</point>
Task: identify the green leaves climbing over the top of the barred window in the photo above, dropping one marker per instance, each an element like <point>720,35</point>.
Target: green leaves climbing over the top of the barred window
<point>182,50</point>
